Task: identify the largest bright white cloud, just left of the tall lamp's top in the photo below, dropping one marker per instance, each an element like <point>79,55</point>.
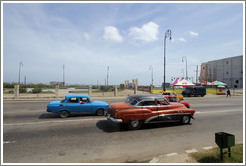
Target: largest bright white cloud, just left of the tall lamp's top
<point>147,33</point>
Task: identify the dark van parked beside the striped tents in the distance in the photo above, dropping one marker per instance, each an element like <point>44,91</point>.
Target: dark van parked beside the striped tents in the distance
<point>194,91</point>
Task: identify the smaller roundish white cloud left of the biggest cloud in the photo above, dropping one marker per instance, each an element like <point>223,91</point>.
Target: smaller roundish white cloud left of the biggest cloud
<point>111,34</point>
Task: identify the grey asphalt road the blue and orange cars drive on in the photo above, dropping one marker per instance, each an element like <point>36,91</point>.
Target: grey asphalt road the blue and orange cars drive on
<point>31,135</point>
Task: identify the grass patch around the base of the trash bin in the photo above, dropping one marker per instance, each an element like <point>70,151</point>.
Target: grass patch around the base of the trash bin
<point>213,155</point>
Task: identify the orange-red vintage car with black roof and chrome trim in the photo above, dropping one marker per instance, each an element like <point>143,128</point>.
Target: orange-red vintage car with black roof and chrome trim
<point>137,110</point>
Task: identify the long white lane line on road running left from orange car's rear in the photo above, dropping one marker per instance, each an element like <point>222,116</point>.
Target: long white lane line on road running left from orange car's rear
<point>45,122</point>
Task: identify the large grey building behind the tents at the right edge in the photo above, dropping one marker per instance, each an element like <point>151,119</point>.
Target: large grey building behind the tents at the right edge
<point>228,70</point>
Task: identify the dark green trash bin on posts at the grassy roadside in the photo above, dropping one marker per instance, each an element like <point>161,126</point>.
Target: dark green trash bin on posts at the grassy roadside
<point>224,140</point>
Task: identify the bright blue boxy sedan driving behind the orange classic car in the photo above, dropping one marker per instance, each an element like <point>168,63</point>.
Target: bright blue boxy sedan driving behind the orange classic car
<point>78,103</point>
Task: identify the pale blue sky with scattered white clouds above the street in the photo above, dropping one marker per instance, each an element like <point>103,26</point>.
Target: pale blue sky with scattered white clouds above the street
<point>86,38</point>
